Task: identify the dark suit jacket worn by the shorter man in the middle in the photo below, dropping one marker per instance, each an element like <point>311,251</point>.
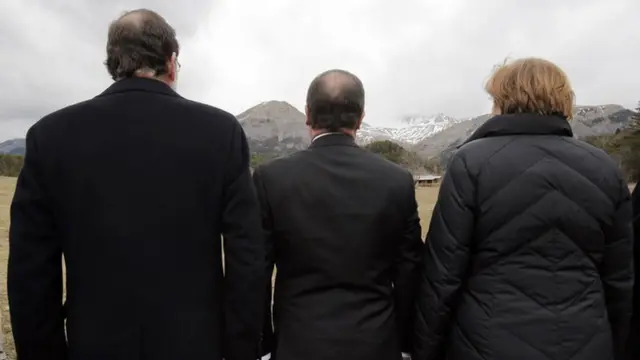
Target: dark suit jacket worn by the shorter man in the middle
<point>343,230</point>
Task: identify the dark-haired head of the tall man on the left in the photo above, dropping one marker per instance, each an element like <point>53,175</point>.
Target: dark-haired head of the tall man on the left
<point>141,43</point>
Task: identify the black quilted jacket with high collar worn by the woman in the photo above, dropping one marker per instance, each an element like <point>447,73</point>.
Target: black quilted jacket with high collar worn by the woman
<point>529,252</point>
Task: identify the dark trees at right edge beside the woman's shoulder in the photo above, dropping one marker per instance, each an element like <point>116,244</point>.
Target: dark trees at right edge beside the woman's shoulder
<point>623,147</point>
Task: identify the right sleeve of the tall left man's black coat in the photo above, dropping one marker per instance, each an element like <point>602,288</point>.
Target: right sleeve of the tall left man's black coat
<point>244,255</point>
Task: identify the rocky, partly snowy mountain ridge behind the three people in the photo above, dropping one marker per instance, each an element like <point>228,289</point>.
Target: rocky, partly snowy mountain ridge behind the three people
<point>275,128</point>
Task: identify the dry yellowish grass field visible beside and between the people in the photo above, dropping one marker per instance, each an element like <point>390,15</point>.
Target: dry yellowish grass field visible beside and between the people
<point>426,199</point>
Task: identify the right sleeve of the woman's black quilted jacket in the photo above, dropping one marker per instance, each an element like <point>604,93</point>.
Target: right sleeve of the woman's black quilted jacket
<point>617,270</point>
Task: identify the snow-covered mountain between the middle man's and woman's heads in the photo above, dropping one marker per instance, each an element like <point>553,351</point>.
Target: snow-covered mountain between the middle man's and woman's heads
<point>410,129</point>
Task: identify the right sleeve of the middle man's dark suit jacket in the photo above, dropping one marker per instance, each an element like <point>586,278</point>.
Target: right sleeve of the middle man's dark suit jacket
<point>406,269</point>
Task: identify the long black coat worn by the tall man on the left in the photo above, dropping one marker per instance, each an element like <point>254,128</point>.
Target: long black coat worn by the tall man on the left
<point>135,188</point>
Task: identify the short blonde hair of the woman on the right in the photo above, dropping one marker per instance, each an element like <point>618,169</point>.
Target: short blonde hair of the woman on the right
<point>531,85</point>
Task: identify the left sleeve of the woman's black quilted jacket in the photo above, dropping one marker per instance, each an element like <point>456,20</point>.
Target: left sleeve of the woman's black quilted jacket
<point>445,262</point>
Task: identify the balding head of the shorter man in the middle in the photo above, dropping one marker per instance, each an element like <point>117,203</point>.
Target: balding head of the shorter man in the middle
<point>335,103</point>
